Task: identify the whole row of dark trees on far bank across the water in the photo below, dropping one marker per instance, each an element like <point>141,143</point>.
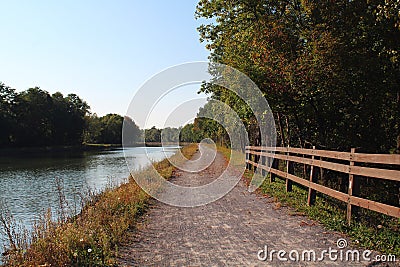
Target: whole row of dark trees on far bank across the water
<point>35,118</point>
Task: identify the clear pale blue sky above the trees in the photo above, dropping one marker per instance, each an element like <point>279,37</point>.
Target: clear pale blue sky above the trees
<point>101,50</point>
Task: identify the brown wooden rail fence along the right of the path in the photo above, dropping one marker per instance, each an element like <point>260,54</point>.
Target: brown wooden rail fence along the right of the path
<point>344,162</point>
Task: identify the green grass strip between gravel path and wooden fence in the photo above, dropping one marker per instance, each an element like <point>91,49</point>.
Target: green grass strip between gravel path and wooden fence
<point>383,237</point>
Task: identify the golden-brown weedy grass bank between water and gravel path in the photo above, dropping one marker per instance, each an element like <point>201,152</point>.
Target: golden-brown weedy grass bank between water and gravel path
<point>90,238</point>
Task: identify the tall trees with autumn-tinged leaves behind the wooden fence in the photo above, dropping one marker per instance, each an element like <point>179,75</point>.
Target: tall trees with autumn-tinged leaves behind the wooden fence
<point>329,69</point>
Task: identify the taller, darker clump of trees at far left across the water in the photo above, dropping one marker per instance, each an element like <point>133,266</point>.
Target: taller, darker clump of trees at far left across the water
<point>36,118</point>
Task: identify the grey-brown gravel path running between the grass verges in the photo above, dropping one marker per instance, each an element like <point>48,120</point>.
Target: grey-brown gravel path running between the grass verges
<point>227,232</point>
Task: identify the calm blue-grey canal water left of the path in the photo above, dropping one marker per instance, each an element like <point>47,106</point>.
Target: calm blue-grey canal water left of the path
<point>27,183</point>
